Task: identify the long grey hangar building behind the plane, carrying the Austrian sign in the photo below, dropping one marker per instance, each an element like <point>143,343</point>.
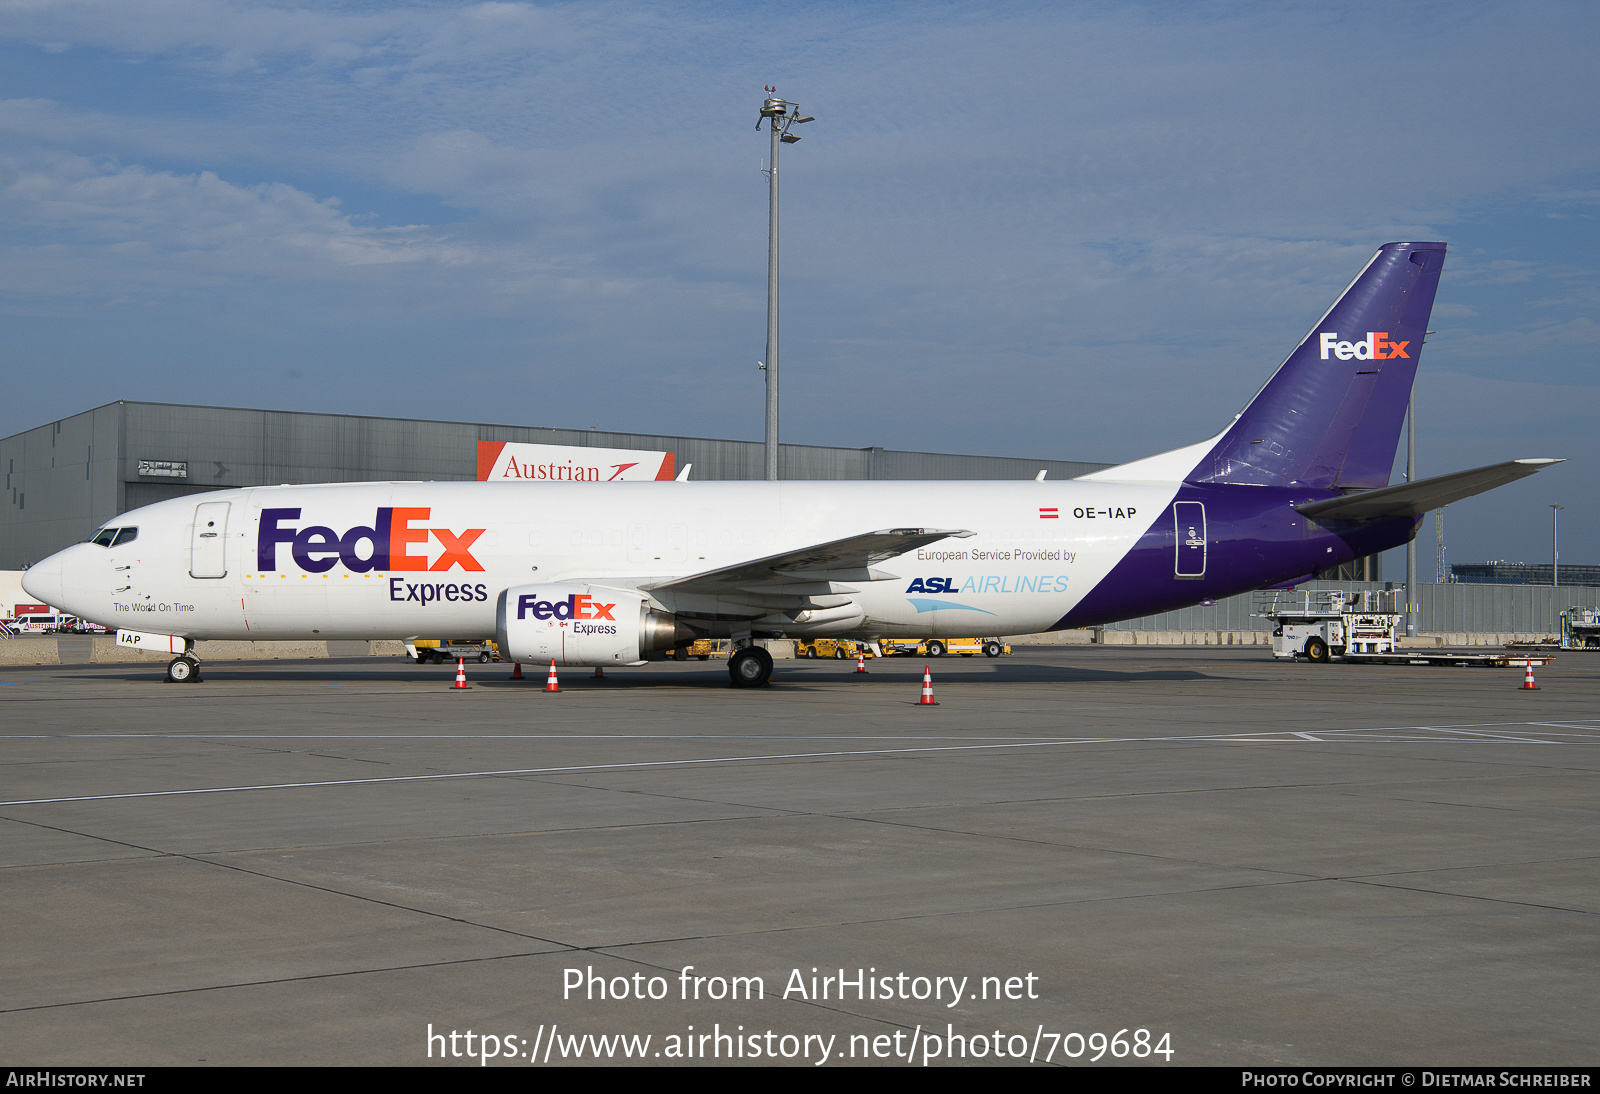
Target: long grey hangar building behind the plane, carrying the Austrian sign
<point>66,479</point>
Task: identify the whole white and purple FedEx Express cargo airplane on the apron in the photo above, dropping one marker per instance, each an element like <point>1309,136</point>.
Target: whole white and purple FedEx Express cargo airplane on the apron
<point>607,573</point>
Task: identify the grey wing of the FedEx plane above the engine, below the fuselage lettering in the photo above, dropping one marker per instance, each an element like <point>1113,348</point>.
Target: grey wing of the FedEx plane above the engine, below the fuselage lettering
<point>810,570</point>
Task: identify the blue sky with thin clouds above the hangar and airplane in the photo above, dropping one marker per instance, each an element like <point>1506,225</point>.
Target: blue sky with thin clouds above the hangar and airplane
<point>1070,231</point>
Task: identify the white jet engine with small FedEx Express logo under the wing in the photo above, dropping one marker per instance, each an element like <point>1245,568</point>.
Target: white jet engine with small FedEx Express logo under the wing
<point>580,626</point>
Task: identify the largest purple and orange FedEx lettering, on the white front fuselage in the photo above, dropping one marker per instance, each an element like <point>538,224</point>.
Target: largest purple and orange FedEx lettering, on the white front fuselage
<point>385,545</point>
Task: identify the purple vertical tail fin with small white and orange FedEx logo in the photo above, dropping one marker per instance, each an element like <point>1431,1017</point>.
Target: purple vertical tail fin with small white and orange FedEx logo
<point>1330,417</point>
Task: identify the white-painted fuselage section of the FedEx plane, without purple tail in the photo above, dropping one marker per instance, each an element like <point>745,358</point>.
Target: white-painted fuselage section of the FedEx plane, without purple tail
<point>247,565</point>
